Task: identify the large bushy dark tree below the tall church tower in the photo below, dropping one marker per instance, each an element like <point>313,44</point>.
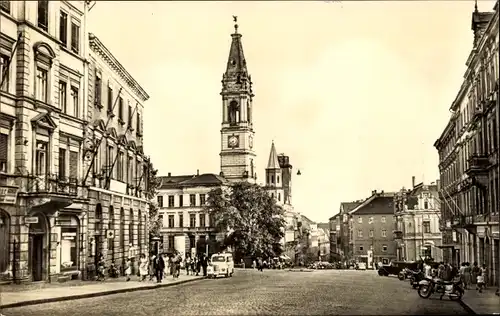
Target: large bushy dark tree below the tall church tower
<point>249,218</point>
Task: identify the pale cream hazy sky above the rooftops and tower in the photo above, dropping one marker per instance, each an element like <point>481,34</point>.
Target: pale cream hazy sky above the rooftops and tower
<point>355,93</point>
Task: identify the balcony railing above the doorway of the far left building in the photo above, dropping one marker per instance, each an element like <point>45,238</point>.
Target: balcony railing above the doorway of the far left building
<point>51,184</point>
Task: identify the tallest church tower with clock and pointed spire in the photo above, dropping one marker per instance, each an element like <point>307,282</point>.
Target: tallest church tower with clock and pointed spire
<point>237,156</point>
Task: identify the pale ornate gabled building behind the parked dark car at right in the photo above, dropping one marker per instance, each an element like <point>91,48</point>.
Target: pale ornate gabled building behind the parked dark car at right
<point>417,214</point>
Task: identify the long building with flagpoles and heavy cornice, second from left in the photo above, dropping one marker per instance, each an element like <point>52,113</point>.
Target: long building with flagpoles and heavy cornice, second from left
<point>115,166</point>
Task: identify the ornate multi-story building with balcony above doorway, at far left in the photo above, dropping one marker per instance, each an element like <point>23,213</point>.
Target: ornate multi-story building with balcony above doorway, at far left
<point>44,141</point>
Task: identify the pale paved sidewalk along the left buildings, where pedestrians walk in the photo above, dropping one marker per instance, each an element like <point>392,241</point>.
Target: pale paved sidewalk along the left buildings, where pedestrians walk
<point>9,299</point>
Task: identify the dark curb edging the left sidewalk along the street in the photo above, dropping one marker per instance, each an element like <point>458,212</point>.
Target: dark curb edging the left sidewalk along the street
<point>95,294</point>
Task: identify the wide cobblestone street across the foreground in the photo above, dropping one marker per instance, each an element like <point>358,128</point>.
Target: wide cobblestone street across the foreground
<point>323,292</point>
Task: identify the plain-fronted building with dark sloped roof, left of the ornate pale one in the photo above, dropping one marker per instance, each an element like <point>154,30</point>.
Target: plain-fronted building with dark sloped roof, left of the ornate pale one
<point>370,229</point>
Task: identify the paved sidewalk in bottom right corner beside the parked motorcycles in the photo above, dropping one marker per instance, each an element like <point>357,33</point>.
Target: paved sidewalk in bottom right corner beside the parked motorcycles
<point>486,303</point>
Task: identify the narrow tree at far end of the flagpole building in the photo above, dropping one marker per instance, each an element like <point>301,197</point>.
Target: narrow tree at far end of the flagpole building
<point>152,185</point>
